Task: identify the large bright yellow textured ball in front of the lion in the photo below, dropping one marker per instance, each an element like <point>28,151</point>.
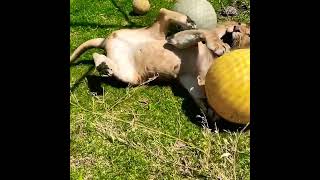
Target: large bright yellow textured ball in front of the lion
<point>228,86</point>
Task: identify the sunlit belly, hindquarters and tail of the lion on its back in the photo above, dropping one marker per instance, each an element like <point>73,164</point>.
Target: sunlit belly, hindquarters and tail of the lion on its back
<point>124,47</point>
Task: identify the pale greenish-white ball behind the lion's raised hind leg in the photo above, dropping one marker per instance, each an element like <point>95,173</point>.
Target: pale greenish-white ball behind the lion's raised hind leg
<point>200,11</point>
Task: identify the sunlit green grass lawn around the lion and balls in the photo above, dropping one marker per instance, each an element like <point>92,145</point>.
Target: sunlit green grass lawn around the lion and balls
<point>146,132</point>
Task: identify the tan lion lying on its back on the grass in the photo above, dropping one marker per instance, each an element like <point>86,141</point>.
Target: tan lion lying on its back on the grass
<point>134,55</point>
